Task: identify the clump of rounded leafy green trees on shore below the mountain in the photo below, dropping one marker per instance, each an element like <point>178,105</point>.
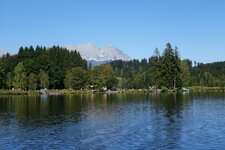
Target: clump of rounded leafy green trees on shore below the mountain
<point>101,77</point>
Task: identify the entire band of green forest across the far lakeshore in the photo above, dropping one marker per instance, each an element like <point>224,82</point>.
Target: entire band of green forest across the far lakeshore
<point>58,68</point>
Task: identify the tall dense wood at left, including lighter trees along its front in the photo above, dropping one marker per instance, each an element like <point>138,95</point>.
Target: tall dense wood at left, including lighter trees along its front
<point>35,68</point>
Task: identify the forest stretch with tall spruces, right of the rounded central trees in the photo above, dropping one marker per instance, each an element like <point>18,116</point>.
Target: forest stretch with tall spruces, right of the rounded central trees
<point>168,70</point>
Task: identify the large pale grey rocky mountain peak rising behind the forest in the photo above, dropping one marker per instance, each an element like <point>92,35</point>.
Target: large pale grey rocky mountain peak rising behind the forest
<point>92,52</point>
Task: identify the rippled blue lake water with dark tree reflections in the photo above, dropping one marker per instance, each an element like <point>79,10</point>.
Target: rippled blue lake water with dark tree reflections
<point>167,121</point>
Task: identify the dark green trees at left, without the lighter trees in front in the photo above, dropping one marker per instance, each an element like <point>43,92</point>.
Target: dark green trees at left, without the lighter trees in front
<point>55,61</point>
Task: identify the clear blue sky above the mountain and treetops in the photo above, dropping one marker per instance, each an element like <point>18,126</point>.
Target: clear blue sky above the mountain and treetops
<point>196,27</point>
